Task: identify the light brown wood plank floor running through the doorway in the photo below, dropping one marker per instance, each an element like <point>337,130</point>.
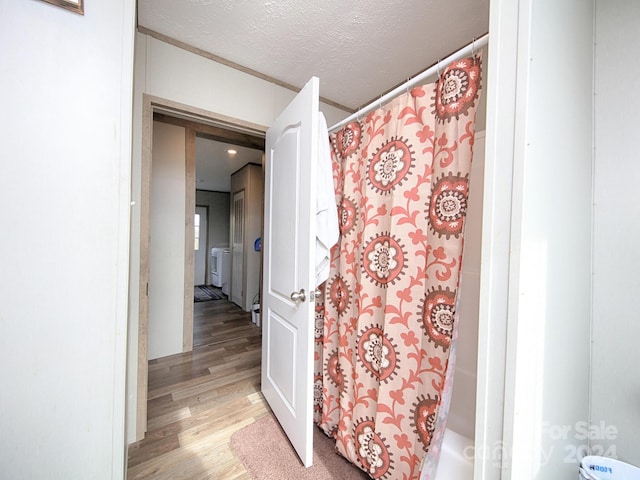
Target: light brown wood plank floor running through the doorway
<point>198,400</point>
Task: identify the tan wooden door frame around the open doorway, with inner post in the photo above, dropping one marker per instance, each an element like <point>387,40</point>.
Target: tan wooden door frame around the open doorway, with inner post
<point>199,122</point>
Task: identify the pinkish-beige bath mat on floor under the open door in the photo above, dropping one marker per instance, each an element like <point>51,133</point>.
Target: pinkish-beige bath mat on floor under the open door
<point>267,454</point>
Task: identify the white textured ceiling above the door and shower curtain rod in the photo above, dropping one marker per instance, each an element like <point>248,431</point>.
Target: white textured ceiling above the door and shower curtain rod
<point>359,49</point>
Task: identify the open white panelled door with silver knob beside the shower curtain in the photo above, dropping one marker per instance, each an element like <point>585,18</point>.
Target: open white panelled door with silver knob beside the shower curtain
<point>288,280</point>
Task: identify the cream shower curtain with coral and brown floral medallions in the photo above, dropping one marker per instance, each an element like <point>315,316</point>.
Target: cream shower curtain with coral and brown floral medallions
<point>401,177</point>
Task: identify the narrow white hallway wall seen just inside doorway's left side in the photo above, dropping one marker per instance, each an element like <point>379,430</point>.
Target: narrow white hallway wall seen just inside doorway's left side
<point>167,248</point>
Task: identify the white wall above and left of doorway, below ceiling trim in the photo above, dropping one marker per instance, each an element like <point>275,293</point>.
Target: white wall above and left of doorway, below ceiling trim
<point>173,74</point>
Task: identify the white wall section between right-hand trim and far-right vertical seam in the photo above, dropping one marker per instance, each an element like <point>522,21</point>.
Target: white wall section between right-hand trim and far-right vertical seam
<point>551,236</point>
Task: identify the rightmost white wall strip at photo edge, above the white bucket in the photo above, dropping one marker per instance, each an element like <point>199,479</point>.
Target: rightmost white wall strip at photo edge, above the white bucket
<point>615,381</point>
